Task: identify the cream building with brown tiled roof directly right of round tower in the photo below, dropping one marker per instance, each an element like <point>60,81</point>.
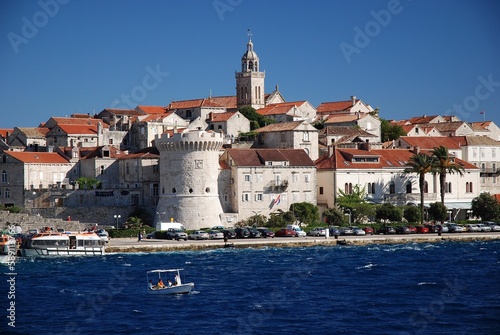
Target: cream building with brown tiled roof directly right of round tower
<point>264,181</point>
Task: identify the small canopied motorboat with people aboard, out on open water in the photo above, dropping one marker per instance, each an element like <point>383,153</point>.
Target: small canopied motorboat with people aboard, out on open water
<point>171,279</point>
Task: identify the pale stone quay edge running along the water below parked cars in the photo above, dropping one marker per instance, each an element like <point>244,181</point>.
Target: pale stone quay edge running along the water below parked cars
<point>154,245</point>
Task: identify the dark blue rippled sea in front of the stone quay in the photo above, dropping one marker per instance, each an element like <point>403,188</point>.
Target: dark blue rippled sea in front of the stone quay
<point>441,288</point>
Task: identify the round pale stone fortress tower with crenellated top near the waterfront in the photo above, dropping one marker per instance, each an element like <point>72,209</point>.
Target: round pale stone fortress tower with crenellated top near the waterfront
<point>189,169</point>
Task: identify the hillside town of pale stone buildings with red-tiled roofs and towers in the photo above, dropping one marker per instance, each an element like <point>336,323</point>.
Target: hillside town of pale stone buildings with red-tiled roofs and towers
<point>204,163</point>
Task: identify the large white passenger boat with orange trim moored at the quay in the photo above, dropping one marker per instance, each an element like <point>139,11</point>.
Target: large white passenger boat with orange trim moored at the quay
<point>62,244</point>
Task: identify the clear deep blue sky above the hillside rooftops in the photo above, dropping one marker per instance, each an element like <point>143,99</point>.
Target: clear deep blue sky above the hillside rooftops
<point>409,58</point>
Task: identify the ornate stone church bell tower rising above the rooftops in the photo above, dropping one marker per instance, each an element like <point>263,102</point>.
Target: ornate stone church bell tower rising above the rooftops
<point>250,82</point>
